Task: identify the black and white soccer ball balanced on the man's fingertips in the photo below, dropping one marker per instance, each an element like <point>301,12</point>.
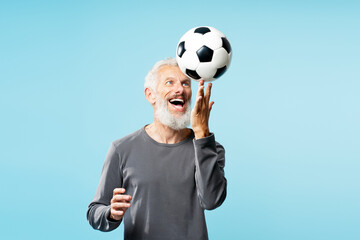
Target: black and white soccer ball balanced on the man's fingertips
<point>203,53</point>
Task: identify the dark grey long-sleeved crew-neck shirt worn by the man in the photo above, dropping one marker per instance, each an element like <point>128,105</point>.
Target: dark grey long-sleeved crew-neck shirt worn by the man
<point>170,185</point>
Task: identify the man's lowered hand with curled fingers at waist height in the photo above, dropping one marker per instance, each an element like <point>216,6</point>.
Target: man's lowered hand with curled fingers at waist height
<point>119,204</point>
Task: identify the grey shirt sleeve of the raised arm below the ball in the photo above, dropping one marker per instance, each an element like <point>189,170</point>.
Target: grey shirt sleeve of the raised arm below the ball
<point>209,172</point>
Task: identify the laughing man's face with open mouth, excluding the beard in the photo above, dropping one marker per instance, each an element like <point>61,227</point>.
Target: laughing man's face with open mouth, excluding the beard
<point>174,87</point>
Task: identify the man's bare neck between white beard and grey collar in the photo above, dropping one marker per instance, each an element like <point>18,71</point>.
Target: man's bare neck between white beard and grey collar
<point>165,134</point>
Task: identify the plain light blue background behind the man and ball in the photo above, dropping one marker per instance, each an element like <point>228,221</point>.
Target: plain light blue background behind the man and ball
<point>287,111</point>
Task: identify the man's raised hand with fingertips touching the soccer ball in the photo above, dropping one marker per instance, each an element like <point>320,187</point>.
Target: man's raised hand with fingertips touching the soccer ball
<point>201,111</point>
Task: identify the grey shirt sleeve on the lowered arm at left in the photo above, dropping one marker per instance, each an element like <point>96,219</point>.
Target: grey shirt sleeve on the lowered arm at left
<point>99,209</point>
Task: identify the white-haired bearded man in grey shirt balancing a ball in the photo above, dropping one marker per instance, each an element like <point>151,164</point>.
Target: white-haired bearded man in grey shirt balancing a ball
<point>159,179</point>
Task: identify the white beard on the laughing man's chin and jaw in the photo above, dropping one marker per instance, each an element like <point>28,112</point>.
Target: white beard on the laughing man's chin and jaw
<point>166,118</point>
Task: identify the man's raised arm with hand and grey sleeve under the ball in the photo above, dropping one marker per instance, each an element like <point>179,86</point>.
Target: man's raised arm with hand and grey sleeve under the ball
<point>209,155</point>
